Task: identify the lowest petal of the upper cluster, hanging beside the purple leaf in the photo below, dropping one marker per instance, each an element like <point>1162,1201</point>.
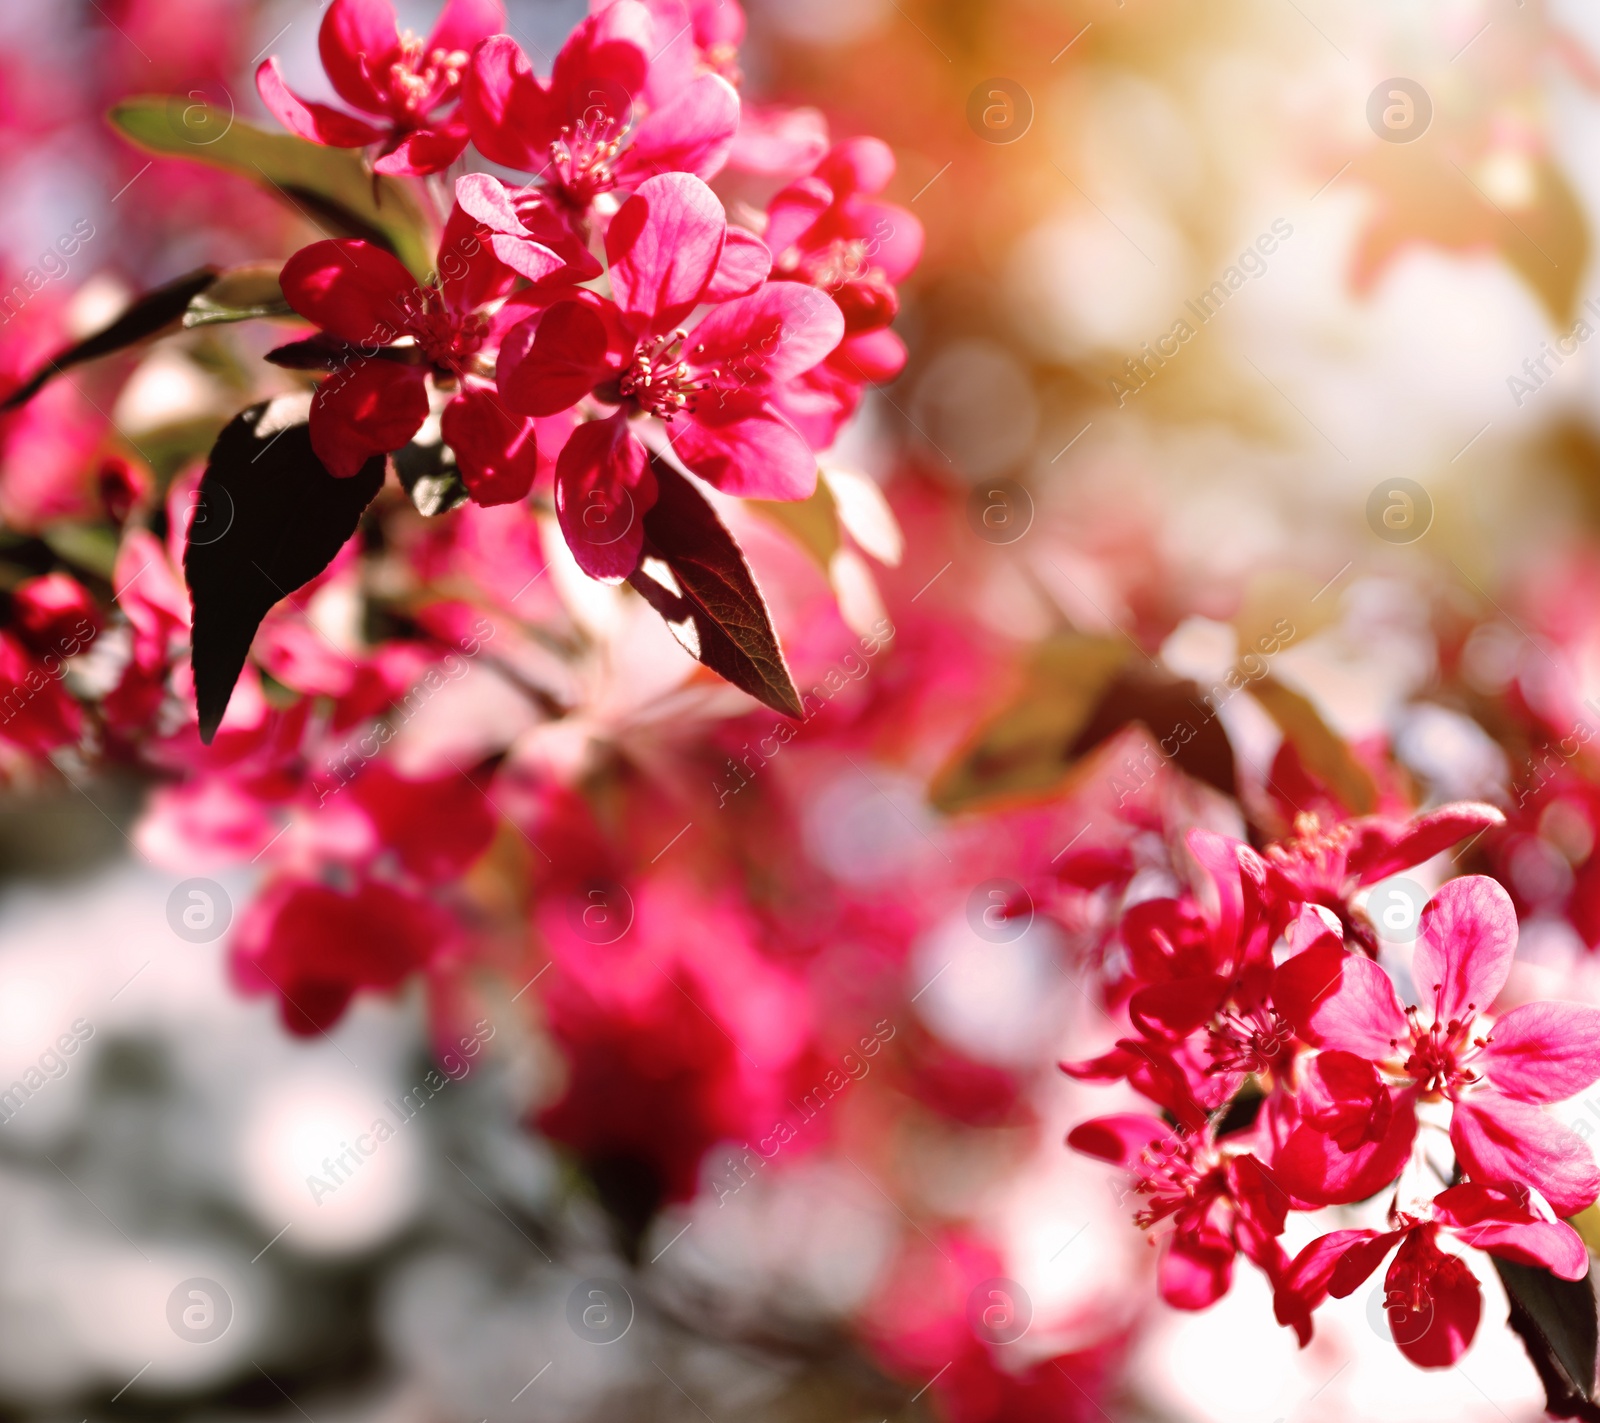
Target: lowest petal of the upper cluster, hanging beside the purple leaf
<point>604,489</point>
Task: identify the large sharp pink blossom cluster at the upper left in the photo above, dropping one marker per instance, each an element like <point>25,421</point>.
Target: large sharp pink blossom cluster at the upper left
<point>738,347</point>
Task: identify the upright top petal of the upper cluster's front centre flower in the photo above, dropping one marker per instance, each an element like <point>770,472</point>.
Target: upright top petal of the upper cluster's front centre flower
<point>665,244</point>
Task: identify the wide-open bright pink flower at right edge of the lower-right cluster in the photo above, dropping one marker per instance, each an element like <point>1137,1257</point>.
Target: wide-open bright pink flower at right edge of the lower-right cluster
<point>1495,1073</point>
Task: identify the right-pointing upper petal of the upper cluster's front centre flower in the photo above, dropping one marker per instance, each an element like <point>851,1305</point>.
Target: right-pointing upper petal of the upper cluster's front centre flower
<point>777,332</point>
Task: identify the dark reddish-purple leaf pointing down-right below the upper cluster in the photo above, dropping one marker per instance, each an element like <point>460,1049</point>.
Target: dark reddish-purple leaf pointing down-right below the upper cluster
<point>695,575</point>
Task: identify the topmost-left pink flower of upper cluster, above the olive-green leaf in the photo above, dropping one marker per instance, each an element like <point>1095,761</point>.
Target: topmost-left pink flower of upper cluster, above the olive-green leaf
<point>399,79</point>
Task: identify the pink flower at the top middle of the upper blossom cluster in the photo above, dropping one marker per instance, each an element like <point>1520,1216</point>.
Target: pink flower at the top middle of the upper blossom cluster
<point>578,132</point>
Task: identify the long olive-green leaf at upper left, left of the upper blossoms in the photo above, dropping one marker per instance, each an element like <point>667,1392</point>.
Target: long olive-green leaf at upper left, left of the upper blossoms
<point>330,188</point>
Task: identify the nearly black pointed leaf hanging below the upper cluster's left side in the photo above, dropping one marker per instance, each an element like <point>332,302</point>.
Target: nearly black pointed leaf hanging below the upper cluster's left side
<point>268,521</point>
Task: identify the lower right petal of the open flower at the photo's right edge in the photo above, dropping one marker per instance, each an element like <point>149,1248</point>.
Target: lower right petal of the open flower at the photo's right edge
<point>1503,1140</point>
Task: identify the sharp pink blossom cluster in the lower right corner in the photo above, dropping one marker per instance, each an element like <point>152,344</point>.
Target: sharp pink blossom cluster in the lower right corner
<point>1292,1072</point>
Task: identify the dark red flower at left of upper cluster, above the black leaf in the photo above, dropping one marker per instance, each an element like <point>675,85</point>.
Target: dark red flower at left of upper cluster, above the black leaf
<point>385,335</point>
